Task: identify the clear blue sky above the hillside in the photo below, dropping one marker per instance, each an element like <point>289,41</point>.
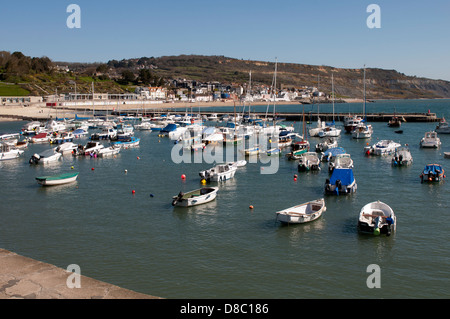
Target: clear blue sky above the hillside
<point>413,38</point>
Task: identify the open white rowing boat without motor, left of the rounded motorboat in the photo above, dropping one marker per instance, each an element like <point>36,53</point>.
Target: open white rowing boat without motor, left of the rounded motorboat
<point>302,213</point>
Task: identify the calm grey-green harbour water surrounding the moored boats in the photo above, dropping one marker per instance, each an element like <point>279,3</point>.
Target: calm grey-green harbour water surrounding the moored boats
<point>223,249</point>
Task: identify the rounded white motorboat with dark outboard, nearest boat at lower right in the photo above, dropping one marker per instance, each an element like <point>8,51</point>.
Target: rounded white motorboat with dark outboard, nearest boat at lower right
<point>377,218</point>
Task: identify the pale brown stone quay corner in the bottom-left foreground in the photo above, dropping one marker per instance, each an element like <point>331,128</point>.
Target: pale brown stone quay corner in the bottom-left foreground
<point>26,278</point>
